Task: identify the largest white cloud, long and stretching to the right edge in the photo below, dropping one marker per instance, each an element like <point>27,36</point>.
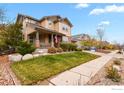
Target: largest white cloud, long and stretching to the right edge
<point>107,9</point>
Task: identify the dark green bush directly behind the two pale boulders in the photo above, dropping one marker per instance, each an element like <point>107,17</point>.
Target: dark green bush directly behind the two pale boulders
<point>25,48</point>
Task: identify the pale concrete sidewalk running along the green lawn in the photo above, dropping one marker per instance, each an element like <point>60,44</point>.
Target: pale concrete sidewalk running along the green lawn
<point>80,75</point>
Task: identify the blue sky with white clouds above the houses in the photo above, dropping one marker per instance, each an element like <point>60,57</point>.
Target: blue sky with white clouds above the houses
<point>85,17</point>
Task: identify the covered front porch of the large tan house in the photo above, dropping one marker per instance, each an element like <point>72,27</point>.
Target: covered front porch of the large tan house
<point>43,38</point>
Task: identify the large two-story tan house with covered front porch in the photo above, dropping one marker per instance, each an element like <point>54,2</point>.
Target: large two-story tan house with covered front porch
<point>48,31</point>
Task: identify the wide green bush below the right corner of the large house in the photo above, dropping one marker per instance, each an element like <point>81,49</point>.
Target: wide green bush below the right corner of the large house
<point>68,46</point>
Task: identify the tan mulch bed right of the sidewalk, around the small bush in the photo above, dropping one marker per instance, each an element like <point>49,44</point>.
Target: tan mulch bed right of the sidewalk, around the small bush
<point>101,79</point>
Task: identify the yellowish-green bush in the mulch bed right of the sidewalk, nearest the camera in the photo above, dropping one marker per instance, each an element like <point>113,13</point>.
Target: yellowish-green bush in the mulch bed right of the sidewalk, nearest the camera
<point>113,74</point>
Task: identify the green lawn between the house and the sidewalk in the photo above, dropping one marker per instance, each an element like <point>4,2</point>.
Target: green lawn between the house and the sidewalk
<point>33,70</point>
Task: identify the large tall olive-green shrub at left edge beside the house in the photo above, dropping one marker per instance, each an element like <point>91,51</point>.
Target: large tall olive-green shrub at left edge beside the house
<point>11,35</point>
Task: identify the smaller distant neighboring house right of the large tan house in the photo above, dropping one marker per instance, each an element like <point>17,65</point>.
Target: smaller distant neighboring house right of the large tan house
<point>80,37</point>
